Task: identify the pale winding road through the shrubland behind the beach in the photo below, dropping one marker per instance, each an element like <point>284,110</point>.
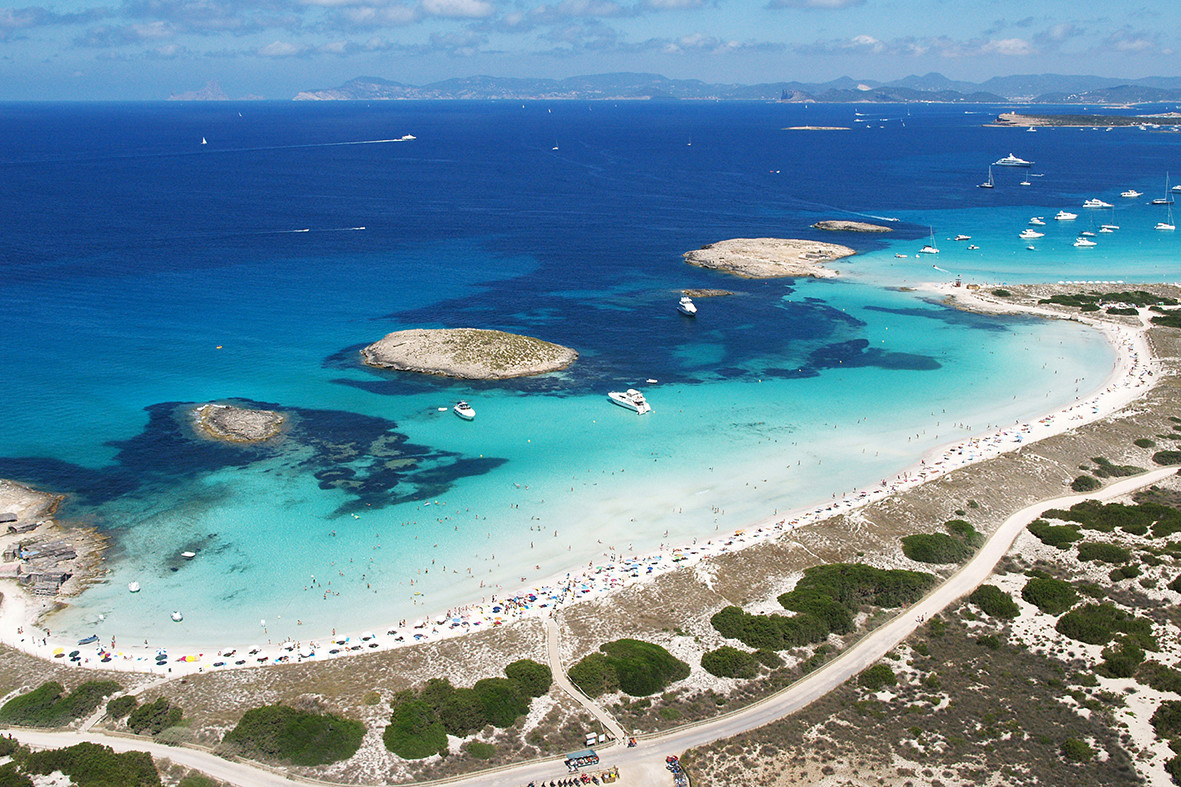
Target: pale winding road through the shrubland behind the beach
<point>644,765</point>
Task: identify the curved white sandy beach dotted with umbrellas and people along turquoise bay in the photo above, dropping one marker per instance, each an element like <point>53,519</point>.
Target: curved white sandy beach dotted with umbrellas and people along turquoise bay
<point>1133,375</point>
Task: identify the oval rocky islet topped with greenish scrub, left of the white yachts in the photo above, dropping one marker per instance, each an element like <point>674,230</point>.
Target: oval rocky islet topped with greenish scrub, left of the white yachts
<point>468,354</point>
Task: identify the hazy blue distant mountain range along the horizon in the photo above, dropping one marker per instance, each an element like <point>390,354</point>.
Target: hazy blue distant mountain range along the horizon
<point>1036,89</point>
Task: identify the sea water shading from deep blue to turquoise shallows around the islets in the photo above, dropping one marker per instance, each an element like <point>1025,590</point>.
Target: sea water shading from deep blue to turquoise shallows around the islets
<point>146,271</point>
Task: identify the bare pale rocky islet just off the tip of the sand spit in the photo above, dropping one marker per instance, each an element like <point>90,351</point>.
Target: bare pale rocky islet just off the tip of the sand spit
<point>768,258</point>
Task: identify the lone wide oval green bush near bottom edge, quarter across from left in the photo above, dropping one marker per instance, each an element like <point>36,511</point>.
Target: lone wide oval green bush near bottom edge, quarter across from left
<point>283,734</point>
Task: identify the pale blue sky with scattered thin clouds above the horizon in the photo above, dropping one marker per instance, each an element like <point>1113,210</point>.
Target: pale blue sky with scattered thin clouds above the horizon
<point>145,50</point>
